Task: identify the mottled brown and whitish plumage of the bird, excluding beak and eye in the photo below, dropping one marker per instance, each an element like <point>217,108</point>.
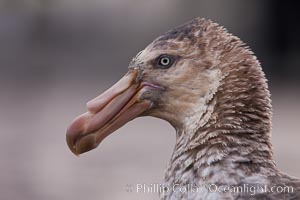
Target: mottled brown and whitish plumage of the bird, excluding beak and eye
<point>219,103</point>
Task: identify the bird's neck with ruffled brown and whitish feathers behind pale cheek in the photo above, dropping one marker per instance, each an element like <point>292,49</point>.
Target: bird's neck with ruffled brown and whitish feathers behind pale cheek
<point>233,141</point>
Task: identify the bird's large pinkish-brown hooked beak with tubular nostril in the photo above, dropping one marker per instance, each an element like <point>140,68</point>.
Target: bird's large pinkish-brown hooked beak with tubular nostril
<point>108,112</point>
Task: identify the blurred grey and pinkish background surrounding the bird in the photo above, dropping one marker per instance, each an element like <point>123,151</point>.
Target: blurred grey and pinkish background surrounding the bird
<point>55,55</point>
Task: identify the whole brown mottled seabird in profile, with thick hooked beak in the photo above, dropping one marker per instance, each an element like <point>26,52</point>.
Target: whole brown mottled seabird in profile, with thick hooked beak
<point>210,87</point>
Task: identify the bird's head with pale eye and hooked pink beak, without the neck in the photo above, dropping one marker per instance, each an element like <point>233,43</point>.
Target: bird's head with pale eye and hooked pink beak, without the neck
<point>173,78</point>
